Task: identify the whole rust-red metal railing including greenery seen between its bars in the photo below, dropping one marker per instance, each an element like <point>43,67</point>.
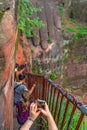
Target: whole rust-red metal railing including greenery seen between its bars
<point>67,111</point>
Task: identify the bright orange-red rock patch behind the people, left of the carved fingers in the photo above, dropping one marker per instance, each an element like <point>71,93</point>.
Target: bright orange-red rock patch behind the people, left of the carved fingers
<point>24,53</point>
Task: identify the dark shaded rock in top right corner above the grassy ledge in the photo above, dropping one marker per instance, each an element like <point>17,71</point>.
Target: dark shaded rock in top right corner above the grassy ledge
<point>76,9</point>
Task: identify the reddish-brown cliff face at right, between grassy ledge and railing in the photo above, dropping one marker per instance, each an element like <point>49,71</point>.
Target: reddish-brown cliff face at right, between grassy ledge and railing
<point>75,67</point>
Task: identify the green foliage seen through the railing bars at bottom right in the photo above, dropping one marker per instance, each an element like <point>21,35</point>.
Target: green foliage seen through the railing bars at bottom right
<point>75,117</point>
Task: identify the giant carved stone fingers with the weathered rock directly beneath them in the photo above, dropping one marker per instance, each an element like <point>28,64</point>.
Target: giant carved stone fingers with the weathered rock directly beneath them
<point>46,45</point>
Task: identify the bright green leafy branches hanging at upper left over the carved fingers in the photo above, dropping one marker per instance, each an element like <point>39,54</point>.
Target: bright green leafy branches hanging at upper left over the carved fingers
<point>26,22</point>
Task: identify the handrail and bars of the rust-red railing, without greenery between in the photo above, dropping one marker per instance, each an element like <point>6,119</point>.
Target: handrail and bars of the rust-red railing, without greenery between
<point>45,84</point>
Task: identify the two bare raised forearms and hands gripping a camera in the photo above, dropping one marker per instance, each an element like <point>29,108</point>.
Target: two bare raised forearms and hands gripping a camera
<point>35,112</point>
